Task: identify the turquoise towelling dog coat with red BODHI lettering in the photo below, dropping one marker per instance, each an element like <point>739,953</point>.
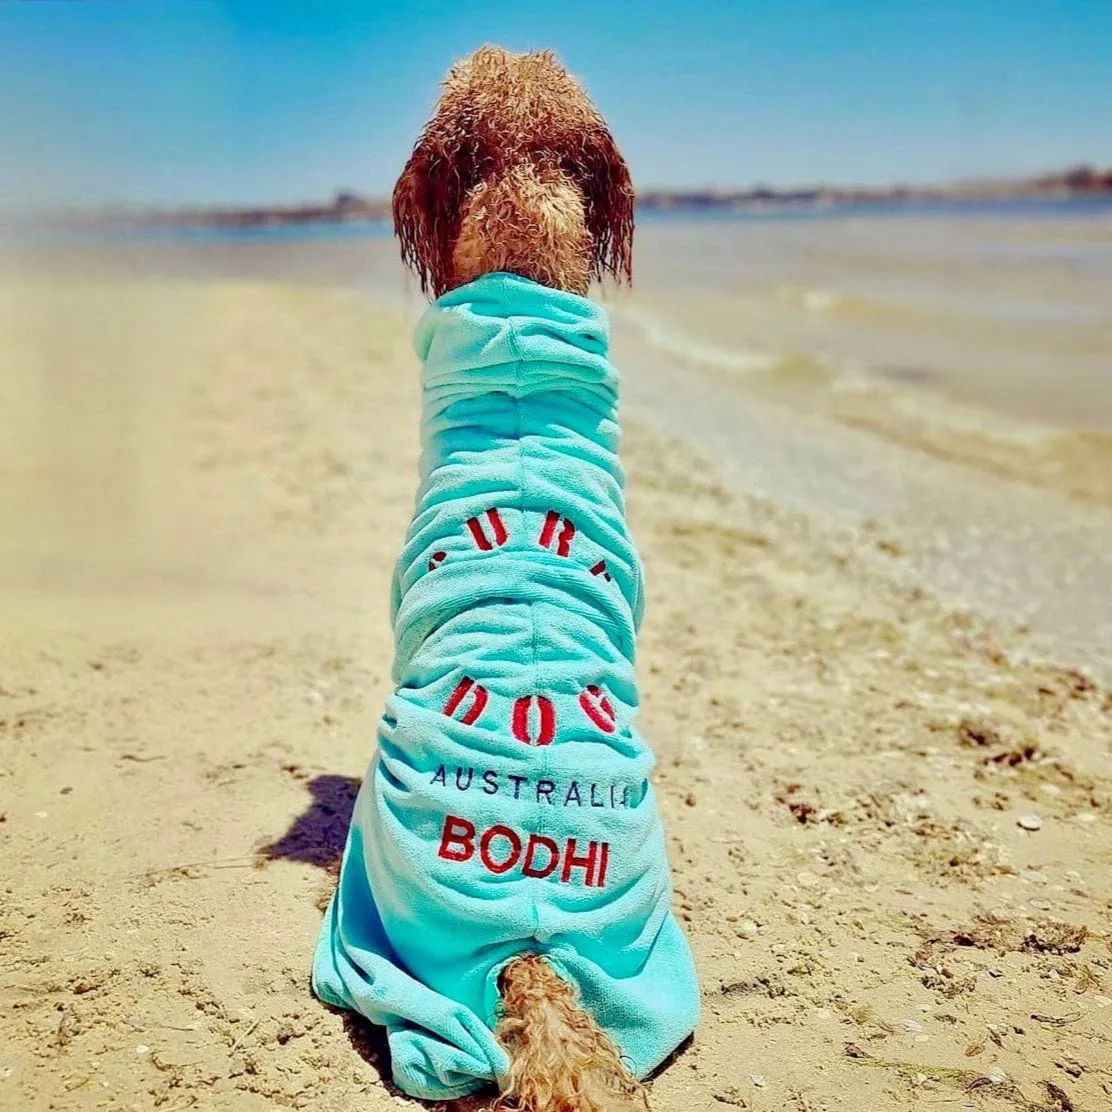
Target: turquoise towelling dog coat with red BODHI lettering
<point>508,808</point>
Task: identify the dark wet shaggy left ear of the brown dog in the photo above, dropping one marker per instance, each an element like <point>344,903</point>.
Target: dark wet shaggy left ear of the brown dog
<point>429,200</point>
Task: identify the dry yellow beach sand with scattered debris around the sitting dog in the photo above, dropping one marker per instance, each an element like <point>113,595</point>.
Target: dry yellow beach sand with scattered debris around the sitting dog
<point>202,492</point>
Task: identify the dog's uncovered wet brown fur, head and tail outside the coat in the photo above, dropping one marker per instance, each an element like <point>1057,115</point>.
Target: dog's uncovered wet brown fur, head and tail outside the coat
<point>518,172</point>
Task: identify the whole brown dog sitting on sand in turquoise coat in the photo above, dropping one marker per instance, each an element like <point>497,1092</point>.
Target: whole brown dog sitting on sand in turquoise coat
<point>504,905</point>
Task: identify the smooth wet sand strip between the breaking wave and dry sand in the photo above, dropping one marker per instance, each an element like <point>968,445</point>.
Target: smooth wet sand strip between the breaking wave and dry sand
<point>989,543</point>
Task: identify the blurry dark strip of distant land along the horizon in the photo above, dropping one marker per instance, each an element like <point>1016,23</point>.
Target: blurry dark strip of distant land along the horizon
<point>349,207</point>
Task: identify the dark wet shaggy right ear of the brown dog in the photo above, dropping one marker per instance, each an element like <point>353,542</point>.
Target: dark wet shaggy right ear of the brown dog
<point>602,174</point>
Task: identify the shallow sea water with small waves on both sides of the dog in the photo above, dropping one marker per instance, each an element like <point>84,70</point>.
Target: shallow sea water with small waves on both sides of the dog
<point>977,331</point>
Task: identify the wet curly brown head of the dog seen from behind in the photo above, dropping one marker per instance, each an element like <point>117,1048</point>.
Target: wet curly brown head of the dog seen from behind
<point>515,172</point>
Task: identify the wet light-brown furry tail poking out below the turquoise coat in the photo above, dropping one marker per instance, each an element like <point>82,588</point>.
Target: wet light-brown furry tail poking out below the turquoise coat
<point>561,1060</point>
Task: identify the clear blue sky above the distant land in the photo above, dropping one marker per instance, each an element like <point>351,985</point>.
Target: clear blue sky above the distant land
<point>165,102</point>
